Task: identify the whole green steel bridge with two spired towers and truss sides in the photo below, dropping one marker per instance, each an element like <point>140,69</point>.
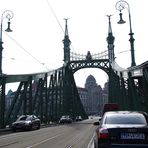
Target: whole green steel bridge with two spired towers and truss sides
<point>52,94</point>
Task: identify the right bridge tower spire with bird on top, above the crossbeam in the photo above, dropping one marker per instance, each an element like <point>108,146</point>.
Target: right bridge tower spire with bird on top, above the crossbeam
<point>110,40</point>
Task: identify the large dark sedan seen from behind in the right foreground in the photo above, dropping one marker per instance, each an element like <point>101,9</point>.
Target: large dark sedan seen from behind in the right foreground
<point>122,129</point>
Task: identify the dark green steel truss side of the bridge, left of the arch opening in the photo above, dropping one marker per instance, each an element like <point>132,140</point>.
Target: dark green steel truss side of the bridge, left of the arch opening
<point>47,95</point>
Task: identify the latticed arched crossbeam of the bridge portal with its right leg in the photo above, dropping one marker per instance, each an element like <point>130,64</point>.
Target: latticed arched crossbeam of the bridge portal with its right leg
<point>105,65</point>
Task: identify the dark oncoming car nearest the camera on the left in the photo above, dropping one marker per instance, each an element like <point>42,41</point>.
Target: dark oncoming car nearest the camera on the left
<point>26,122</point>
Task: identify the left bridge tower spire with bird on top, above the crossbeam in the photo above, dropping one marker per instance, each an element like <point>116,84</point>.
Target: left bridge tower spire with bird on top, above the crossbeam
<point>66,42</point>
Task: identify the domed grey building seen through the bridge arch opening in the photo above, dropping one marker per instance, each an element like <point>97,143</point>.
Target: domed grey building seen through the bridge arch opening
<point>93,97</point>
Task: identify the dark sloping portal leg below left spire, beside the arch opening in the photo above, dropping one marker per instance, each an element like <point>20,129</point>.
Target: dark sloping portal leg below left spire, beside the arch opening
<point>72,102</point>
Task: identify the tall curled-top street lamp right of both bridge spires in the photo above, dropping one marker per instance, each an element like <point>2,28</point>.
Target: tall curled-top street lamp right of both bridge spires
<point>120,5</point>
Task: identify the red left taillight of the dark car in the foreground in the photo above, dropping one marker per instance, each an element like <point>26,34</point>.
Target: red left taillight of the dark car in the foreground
<point>103,133</point>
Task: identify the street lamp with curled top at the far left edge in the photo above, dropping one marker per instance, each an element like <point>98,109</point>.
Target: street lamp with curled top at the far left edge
<point>8,15</point>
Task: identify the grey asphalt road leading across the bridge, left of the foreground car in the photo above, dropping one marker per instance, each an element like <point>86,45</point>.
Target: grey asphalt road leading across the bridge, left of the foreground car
<point>75,135</point>
